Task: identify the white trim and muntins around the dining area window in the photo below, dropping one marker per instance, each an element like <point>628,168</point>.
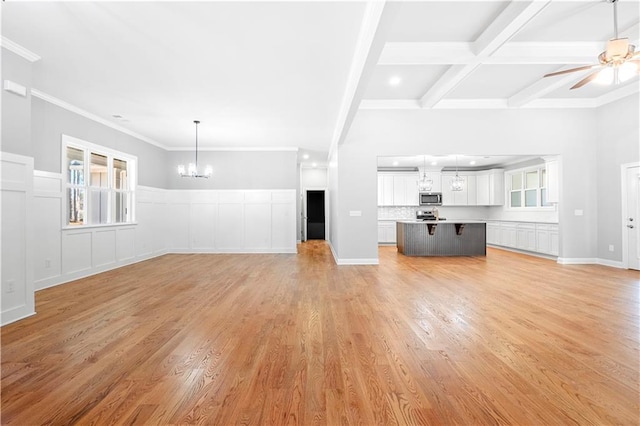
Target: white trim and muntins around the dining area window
<point>88,147</point>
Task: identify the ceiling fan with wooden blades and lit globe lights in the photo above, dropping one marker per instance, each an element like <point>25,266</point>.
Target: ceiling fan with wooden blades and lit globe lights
<point>618,63</point>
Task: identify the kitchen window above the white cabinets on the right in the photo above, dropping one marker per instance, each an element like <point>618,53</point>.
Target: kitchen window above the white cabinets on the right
<point>528,188</point>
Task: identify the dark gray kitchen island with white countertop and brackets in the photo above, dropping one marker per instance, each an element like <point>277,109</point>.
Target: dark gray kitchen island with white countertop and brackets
<point>440,238</point>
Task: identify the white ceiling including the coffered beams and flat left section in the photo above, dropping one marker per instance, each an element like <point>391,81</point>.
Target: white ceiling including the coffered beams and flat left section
<point>283,74</point>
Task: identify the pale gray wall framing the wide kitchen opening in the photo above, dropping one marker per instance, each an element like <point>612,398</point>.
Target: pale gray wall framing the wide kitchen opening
<point>570,133</point>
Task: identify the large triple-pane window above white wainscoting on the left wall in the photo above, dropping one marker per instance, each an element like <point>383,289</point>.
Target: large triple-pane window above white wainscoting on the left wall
<point>100,184</point>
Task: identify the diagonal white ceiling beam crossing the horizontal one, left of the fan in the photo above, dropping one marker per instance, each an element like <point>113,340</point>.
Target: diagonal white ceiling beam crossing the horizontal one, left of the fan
<point>505,26</point>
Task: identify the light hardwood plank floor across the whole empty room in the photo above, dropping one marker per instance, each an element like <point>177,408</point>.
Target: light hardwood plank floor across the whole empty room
<point>295,339</point>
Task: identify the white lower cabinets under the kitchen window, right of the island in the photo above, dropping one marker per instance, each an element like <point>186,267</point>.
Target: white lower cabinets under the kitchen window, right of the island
<point>526,236</point>
